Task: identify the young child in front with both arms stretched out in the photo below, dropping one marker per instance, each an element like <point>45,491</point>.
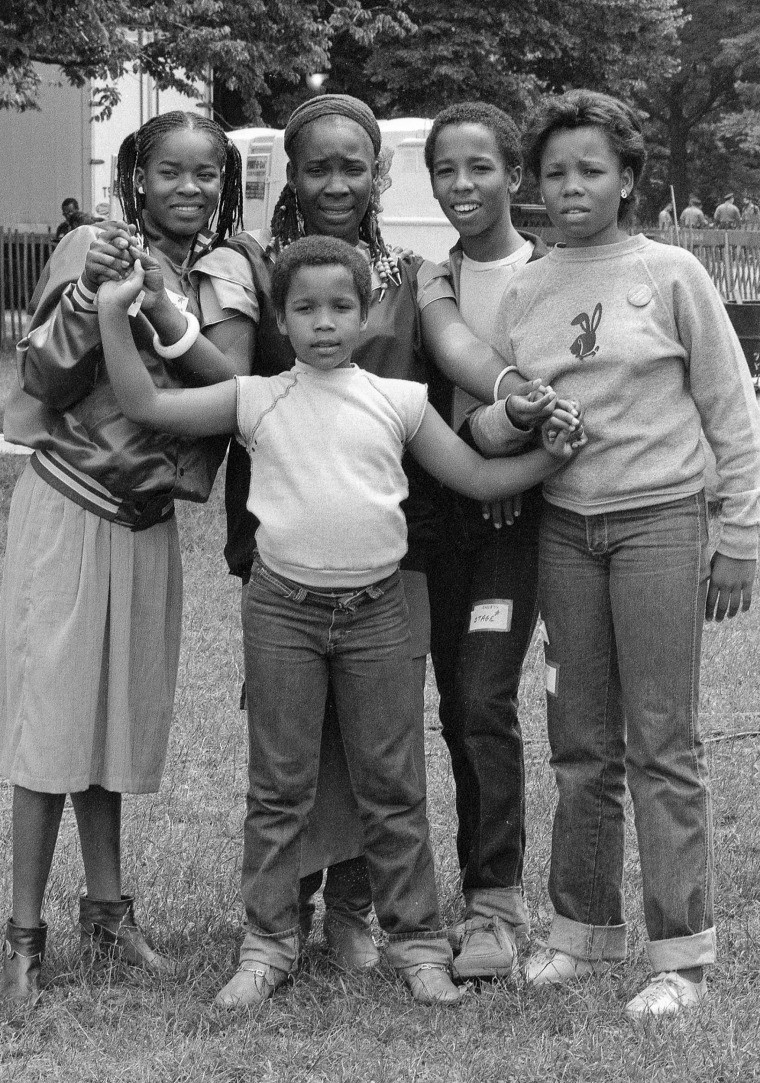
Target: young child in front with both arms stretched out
<point>325,601</point>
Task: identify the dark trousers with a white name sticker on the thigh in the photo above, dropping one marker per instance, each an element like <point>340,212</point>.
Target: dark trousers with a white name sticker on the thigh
<point>483,614</point>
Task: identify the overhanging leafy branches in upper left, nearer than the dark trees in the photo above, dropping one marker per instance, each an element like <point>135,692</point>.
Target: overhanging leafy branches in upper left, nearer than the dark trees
<point>247,44</point>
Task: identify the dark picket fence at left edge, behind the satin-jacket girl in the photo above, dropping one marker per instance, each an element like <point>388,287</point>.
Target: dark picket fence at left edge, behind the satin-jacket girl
<point>22,259</point>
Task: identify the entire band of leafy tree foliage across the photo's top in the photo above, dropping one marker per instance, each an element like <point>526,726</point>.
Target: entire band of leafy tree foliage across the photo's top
<point>691,67</point>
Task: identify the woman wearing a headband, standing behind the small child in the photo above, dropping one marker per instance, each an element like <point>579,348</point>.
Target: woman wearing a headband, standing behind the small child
<point>335,181</point>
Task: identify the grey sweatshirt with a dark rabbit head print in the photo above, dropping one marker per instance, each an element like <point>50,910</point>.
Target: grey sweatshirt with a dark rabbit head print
<point>637,333</point>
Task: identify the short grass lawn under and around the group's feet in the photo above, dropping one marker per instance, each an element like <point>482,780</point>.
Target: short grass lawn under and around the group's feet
<point>182,855</point>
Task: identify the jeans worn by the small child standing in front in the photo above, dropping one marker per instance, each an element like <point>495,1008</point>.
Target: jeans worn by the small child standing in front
<point>296,640</point>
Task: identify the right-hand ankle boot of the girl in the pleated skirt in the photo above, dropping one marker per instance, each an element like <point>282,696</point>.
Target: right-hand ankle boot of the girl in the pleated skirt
<point>110,934</point>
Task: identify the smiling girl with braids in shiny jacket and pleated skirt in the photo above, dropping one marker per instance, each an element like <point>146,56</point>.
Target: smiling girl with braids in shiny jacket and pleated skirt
<point>91,599</point>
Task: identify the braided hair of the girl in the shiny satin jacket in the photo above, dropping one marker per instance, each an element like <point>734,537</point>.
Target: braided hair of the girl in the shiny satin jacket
<point>136,153</point>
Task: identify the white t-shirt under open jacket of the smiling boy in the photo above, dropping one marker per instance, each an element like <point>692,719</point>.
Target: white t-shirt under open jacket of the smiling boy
<point>481,290</point>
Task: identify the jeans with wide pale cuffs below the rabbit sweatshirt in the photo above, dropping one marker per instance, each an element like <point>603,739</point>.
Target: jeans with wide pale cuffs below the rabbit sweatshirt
<point>623,598</point>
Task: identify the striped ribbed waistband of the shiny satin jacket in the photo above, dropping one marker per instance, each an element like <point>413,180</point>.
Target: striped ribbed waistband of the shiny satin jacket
<point>93,497</point>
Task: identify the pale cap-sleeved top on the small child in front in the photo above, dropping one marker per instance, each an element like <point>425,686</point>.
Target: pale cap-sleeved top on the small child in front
<point>326,471</point>
